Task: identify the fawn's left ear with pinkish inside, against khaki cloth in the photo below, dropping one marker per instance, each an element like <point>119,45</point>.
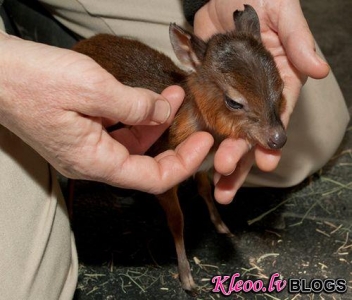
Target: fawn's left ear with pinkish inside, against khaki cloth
<point>189,49</point>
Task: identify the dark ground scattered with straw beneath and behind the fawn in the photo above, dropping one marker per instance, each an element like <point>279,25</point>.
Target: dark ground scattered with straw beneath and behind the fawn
<point>126,250</point>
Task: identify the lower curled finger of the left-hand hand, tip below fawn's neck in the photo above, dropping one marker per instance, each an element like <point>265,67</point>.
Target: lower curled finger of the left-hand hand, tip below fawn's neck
<point>156,175</point>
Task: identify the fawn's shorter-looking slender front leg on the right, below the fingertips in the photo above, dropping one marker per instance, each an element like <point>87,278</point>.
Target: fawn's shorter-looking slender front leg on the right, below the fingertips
<point>204,190</point>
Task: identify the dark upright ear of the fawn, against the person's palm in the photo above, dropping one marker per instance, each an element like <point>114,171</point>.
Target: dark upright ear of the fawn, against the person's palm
<point>247,21</point>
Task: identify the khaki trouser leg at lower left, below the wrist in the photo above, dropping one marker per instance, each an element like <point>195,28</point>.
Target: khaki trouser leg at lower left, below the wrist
<point>38,258</point>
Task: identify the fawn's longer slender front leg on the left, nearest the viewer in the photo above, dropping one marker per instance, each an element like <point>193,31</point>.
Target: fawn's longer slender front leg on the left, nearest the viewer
<point>169,202</point>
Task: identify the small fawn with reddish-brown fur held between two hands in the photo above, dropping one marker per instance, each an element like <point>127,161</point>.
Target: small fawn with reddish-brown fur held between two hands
<point>234,64</point>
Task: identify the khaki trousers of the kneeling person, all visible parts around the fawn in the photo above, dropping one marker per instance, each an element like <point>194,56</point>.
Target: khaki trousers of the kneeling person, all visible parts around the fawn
<point>38,257</point>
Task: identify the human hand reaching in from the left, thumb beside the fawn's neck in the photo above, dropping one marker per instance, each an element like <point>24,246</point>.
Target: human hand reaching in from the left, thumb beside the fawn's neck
<point>59,102</point>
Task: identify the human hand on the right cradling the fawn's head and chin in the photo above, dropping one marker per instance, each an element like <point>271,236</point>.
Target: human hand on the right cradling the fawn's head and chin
<point>286,34</point>
